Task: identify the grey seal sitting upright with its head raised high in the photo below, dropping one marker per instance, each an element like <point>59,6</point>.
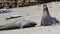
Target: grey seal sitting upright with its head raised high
<point>46,18</point>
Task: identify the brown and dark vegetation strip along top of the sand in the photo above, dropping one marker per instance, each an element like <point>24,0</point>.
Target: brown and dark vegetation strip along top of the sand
<point>21,3</point>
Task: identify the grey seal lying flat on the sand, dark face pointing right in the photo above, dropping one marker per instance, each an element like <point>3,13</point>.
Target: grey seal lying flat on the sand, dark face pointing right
<point>18,24</point>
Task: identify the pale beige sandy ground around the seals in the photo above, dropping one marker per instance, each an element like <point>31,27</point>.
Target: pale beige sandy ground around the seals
<point>33,13</point>
